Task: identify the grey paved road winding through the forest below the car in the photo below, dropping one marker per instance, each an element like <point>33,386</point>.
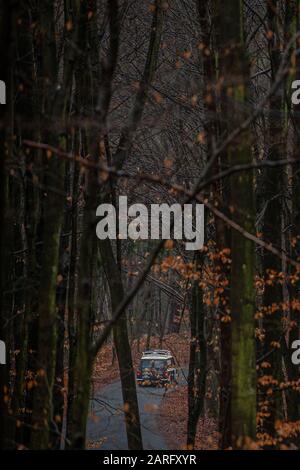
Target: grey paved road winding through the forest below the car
<point>106,426</point>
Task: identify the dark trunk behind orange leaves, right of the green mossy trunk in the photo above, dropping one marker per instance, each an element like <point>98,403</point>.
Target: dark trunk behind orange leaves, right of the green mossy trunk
<point>273,205</point>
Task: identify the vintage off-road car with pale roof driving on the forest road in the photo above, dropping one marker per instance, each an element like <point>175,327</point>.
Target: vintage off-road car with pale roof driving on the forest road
<point>157,367</point>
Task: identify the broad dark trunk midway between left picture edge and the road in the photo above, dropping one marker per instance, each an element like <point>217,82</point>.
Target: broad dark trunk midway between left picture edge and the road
<point>53,206</point>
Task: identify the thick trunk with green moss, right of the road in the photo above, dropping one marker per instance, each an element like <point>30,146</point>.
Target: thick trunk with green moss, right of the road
<point>234,70</point>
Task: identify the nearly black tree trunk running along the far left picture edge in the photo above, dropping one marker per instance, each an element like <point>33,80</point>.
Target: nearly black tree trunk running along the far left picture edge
<point>8,22</point>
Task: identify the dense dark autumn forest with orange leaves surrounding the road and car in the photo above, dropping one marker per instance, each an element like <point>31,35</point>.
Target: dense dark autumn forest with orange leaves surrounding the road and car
<point>162,101</point>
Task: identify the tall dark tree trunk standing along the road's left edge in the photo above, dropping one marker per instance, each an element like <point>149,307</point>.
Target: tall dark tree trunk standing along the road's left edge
<point>83,359</point>
